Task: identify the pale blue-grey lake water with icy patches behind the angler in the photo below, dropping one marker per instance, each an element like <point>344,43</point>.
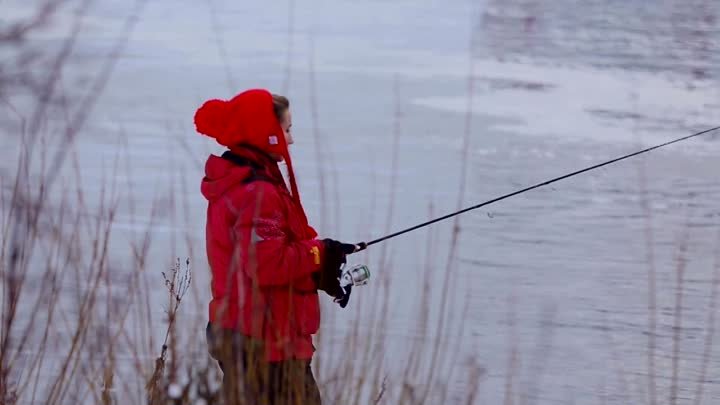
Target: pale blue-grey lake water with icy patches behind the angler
<point>557,276</point>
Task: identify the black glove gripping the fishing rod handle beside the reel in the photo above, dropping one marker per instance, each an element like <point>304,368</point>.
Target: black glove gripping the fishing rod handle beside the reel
<point>328,278</point>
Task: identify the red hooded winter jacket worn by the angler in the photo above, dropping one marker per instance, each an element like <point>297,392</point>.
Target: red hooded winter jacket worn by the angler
<point>262,253</point>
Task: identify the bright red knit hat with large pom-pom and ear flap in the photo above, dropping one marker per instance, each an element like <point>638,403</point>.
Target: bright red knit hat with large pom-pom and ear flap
<point>248,118</point>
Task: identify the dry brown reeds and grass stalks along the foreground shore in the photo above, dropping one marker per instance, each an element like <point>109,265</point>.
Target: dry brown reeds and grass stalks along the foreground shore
<point>73,332</point>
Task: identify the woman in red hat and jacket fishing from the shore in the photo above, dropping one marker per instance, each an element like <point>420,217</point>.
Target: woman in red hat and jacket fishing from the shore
<point>267,262</point>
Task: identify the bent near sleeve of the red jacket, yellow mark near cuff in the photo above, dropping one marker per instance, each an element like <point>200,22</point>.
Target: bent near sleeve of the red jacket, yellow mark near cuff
<point>266,252</point>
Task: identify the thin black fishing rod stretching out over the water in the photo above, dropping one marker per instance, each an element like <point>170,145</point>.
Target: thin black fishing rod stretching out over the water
<point>364,245</point>
